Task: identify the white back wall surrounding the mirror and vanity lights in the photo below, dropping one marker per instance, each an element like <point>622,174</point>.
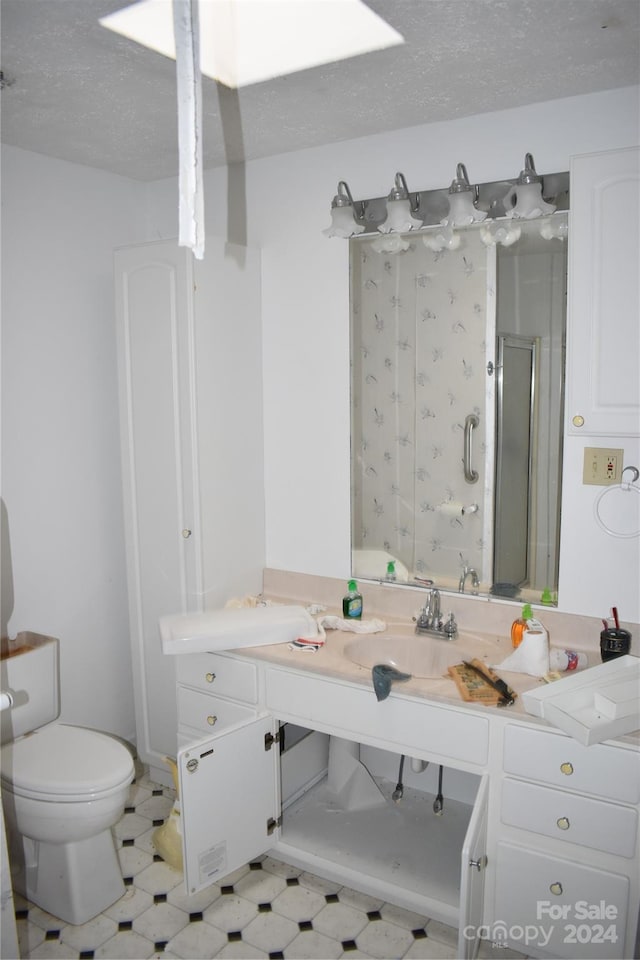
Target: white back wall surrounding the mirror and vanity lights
<point>306,318</point>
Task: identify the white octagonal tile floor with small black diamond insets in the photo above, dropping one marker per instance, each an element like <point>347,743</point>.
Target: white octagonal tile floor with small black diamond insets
<point>267,909</point>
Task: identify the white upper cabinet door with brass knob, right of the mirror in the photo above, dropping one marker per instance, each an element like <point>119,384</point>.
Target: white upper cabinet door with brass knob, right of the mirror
<point>603,327</point>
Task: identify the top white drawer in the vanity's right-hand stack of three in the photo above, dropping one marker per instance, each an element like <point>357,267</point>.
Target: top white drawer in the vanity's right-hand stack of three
<point>556,760</point>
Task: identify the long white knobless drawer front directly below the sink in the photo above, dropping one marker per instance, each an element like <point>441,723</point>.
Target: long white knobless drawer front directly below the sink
<point>393,724</point>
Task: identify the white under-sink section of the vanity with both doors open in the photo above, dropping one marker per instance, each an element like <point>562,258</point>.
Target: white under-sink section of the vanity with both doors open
<point>236,805</point>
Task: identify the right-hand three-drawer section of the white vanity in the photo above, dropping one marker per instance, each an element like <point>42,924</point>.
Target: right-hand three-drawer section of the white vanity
<point>567,848</point>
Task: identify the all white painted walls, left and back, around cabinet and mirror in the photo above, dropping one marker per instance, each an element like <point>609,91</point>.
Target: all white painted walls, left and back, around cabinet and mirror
<point>60,448</point>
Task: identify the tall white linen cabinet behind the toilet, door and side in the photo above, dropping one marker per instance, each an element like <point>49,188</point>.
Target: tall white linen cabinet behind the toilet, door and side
<point>189,351</point>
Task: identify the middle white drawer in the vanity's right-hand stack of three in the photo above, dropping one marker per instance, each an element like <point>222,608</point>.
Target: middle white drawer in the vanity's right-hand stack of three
<point>570,817</point>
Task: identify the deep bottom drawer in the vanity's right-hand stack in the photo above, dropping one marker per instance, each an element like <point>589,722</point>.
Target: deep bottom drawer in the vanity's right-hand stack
<point>563,908</point>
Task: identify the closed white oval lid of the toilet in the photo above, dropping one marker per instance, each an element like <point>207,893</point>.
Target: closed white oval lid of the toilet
<point>65,763</point>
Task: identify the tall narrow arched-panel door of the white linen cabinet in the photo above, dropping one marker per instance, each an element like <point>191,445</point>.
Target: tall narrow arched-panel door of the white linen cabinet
<point>154,324</point>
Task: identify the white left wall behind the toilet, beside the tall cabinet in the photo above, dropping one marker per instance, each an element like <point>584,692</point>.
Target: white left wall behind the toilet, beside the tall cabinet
<point>60,441</point>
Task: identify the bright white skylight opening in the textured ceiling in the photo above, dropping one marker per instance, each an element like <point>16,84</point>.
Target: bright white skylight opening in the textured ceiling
<point>249,41</point>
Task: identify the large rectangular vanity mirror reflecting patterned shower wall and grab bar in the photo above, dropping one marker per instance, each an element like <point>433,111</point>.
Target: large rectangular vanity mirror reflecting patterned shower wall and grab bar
<point>457,410</point>
